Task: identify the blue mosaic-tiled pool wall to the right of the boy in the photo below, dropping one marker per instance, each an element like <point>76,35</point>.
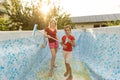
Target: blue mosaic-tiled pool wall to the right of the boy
<point>100,51</point>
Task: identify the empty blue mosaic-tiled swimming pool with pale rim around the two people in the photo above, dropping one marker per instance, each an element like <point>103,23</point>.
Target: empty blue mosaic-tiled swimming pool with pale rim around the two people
<point>96,55</point>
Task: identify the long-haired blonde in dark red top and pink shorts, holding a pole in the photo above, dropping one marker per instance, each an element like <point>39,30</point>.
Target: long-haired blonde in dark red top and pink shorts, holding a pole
<point>51,30</point>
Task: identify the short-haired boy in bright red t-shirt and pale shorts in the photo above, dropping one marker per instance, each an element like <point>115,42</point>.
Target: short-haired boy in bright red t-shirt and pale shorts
<point>67,43</point>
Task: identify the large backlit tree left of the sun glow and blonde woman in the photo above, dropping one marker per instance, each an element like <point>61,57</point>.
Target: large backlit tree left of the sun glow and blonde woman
<point>24,16</point>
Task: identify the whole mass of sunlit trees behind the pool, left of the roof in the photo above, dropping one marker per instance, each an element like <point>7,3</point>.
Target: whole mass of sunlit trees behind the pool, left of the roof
<point>27,16</point>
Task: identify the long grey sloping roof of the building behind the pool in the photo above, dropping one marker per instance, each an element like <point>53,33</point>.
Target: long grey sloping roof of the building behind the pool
<point>96,18</point>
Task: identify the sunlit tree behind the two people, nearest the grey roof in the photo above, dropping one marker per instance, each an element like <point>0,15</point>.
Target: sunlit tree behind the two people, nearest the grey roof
<point>62,18</point>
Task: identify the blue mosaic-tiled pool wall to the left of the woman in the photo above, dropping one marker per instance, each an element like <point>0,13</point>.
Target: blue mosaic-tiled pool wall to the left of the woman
<point>20,58</point>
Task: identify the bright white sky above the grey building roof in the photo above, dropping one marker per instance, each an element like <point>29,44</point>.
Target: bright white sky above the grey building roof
<point>90,7</point>
